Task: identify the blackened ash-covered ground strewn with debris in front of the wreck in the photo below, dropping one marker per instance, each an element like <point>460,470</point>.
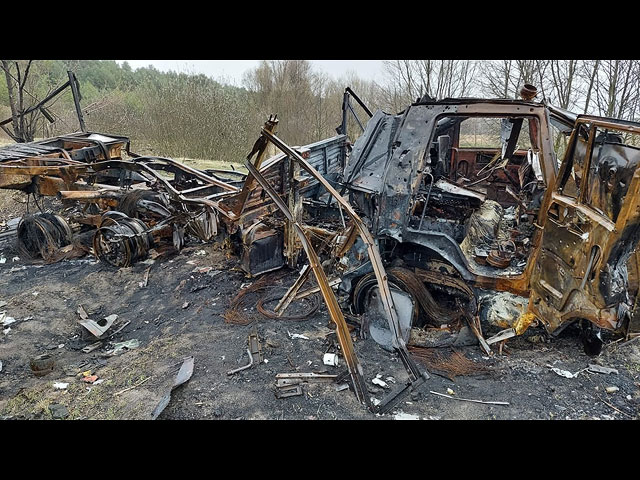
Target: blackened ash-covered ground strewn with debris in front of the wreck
<point>179,313</point>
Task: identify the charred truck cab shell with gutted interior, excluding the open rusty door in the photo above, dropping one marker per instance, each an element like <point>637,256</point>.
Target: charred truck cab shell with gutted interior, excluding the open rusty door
<point>440,177</point>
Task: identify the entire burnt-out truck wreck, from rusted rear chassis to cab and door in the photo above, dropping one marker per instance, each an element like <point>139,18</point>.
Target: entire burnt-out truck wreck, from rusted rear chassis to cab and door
<point>416,224</point>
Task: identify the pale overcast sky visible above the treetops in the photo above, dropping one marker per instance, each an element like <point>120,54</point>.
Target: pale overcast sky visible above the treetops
<point>232,70</point>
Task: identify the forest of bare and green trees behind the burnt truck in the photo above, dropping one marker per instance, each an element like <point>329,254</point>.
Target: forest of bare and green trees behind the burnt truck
<point>195,116</point>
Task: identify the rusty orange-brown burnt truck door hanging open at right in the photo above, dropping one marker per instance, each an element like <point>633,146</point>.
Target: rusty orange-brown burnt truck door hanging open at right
<point>591,225</point>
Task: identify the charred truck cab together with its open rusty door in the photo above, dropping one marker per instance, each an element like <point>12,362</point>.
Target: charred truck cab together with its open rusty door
<point>461,188</point>
